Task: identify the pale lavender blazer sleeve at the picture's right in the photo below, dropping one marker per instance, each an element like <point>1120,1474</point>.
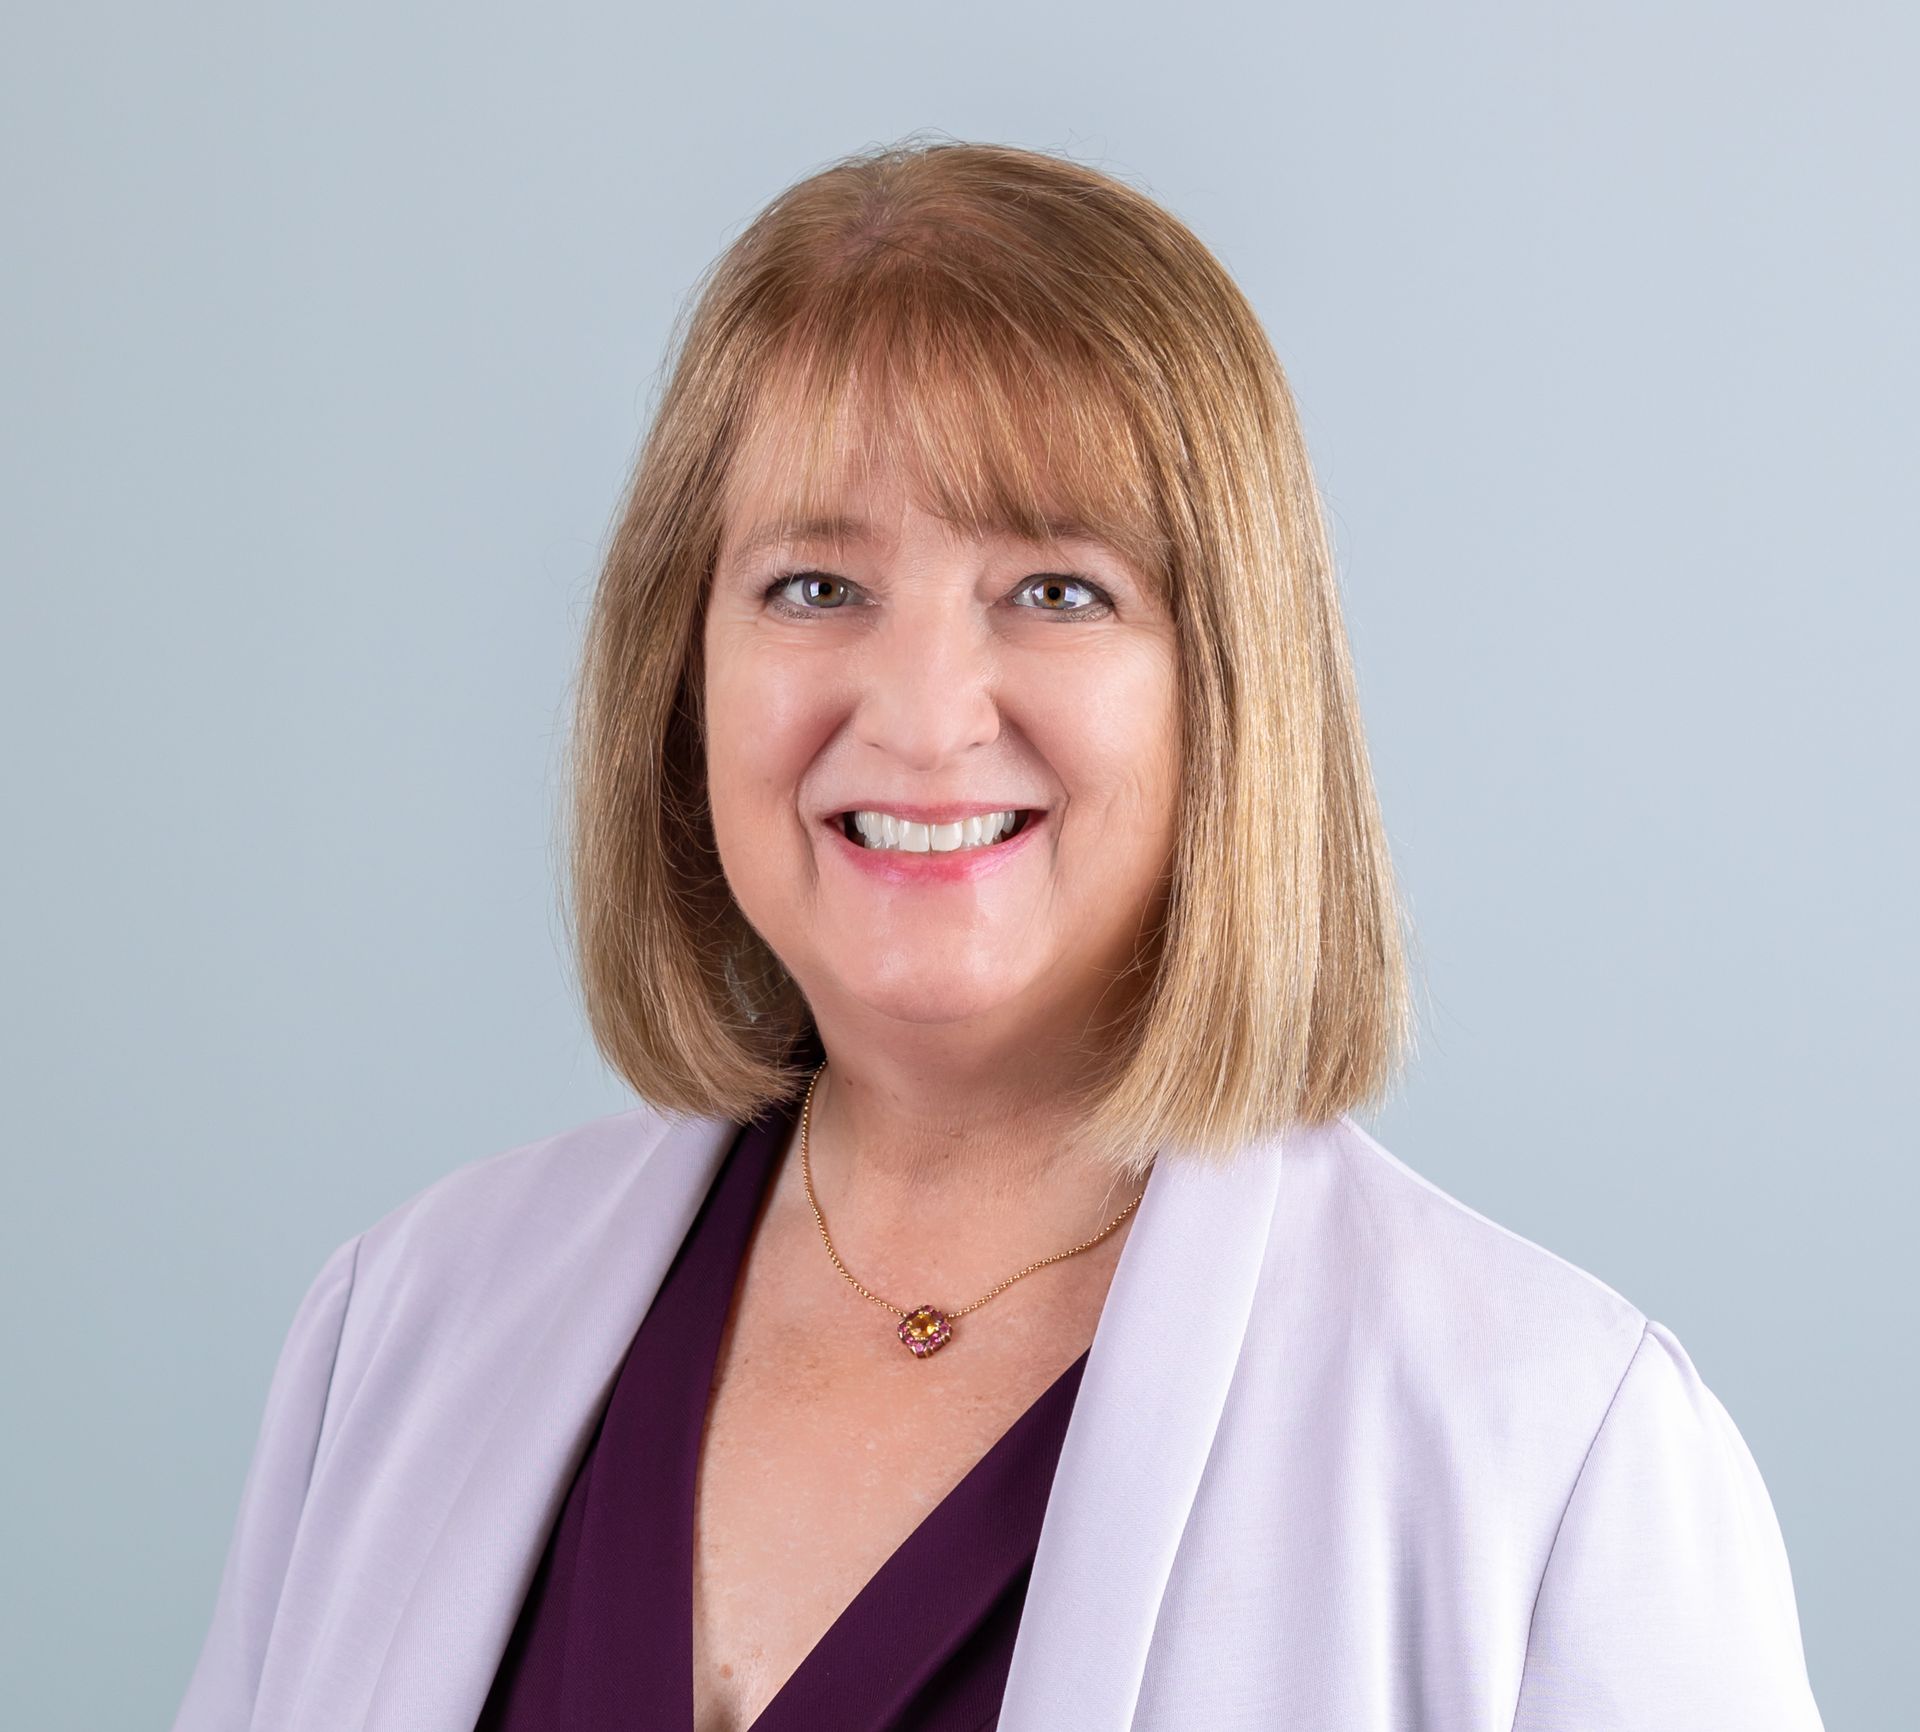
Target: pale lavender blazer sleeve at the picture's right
<point>1668,1604</point>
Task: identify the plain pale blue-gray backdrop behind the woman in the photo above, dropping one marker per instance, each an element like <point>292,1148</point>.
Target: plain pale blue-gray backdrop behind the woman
<point>327,341</point>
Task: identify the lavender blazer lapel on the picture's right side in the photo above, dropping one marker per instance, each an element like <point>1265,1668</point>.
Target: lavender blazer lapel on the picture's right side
<point>1141,1430</point>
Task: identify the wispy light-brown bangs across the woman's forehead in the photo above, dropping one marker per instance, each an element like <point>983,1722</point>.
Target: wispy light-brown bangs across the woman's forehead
<point>992,423</point>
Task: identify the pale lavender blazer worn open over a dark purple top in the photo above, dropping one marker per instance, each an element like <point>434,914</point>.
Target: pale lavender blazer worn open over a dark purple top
<point>1347,1455</point>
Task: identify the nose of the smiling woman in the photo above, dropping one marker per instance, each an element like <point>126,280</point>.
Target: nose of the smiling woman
<point>926,683</point>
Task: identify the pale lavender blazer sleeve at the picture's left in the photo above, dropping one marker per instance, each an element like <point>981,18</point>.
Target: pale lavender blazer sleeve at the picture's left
<point>220,1698</point>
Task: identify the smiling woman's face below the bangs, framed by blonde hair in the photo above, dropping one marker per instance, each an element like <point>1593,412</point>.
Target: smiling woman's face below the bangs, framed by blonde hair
<point>876,700</point>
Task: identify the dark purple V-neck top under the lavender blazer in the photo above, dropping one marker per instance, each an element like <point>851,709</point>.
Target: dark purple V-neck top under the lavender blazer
<point>606,1635</point>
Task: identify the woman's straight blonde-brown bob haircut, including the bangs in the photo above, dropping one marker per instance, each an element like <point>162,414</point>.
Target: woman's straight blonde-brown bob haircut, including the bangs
<point>1022,337</point>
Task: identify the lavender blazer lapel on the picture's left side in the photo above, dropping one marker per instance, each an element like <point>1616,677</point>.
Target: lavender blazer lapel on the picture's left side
<point>456,1624</point>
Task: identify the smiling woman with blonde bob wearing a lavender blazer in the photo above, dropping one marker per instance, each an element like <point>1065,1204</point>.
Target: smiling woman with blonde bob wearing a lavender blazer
<point>994,1314</point>
